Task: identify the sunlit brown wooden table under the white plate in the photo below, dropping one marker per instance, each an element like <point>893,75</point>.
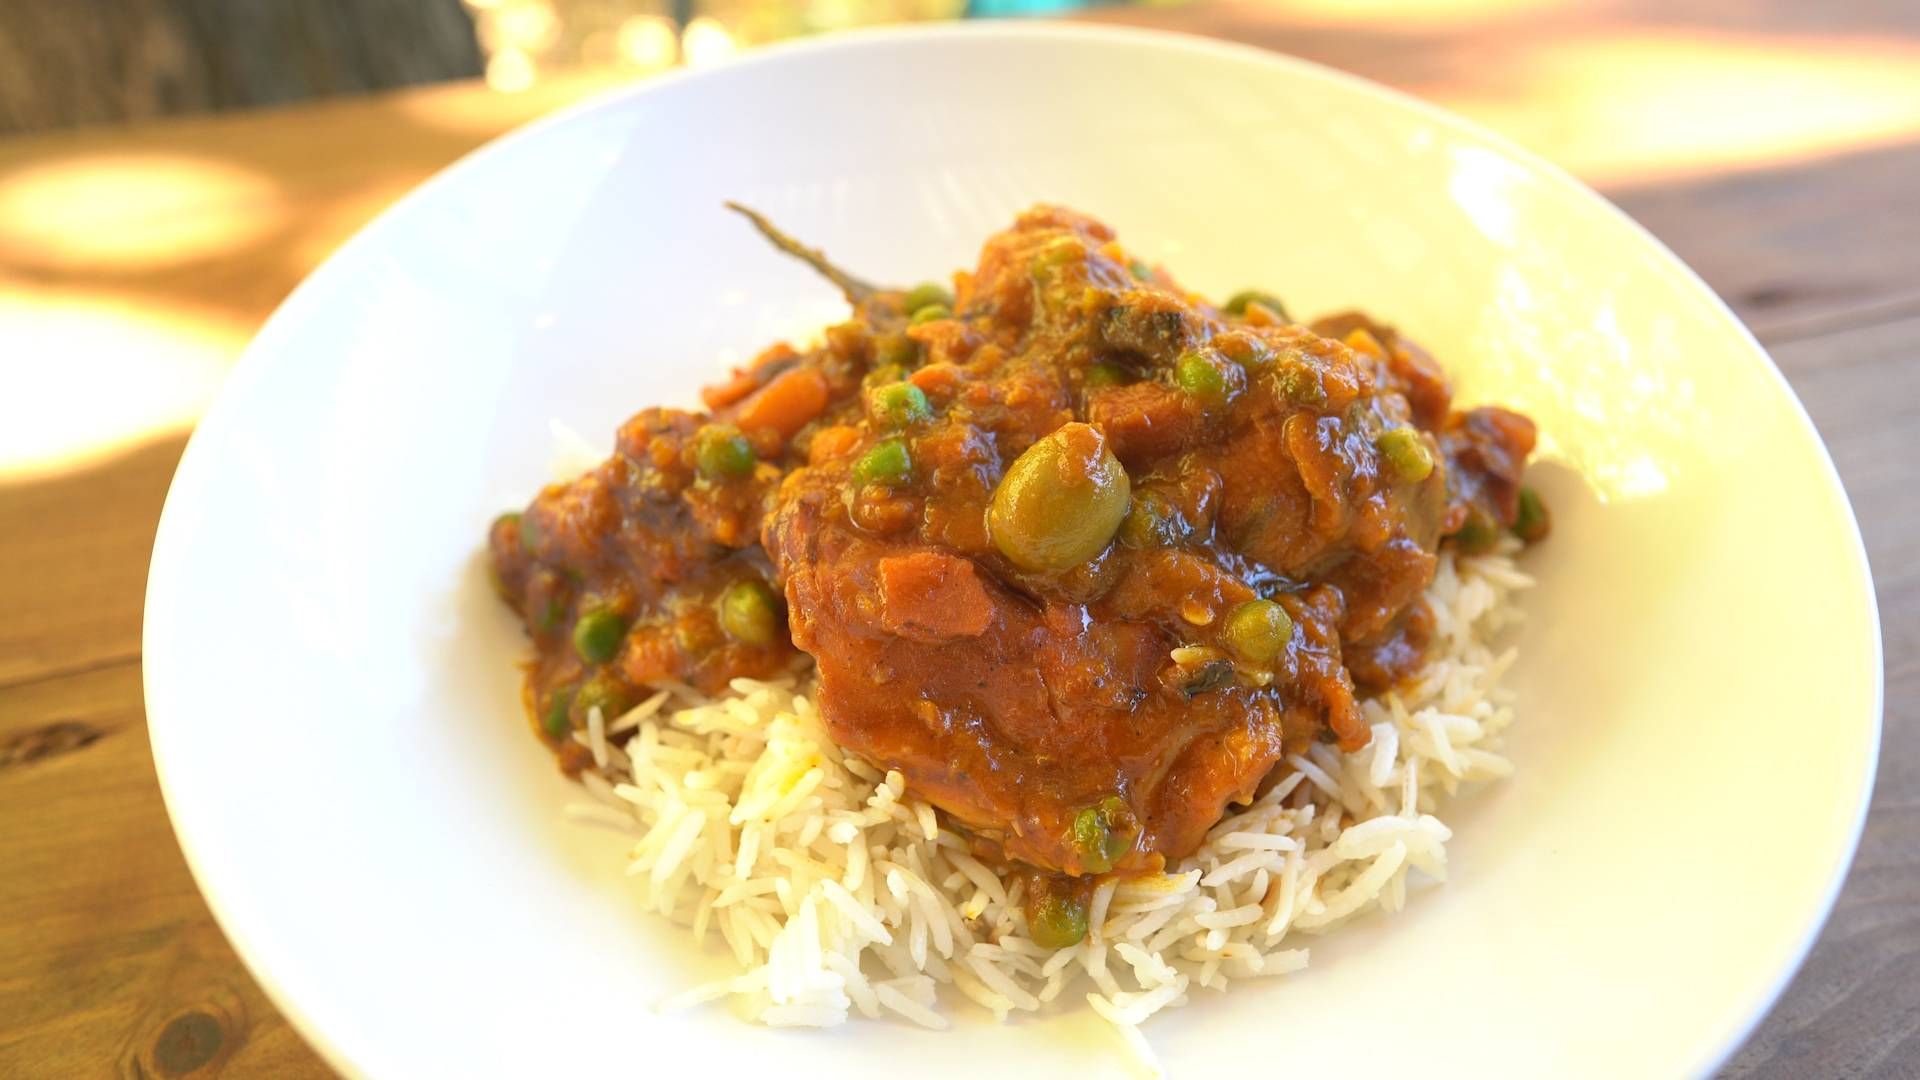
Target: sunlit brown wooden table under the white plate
<point>1779,153</point>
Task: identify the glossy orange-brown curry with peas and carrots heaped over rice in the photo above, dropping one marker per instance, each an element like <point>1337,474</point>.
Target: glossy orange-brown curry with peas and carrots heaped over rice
<point>1282,495</point>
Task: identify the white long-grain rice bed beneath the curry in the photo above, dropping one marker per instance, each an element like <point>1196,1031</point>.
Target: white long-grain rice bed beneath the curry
<point>840,893</point>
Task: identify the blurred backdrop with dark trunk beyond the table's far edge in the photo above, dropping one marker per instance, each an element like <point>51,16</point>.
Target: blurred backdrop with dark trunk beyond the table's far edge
<point>66,64</point>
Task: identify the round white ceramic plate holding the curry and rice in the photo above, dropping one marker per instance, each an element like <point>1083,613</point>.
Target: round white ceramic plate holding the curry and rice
<point>333,689</point>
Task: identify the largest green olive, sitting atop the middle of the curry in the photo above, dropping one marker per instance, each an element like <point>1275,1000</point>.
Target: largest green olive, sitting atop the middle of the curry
<point>1061,503</point>
